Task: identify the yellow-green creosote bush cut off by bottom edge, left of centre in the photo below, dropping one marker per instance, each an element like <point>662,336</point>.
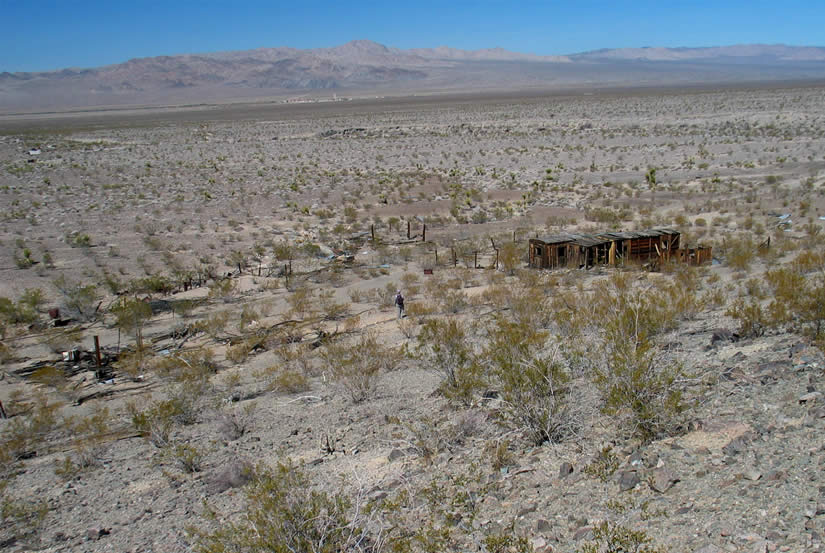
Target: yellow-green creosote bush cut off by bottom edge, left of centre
<point>285,514</point>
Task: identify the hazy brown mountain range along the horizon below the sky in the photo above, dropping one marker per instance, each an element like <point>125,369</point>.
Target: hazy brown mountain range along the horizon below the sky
<point>363,66</point>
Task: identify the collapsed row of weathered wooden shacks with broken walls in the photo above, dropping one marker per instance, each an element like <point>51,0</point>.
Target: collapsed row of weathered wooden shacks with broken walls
<point>613,248</point>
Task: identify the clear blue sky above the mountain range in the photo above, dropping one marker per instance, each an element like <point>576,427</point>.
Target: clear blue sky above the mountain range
<point>42,35</point>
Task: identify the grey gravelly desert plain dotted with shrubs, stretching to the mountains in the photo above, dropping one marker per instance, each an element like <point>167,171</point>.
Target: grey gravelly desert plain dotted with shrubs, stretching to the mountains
<point>237,264</point>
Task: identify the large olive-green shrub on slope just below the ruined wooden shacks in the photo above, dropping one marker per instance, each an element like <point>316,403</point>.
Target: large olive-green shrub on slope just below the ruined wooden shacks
<point>610,337</point>
